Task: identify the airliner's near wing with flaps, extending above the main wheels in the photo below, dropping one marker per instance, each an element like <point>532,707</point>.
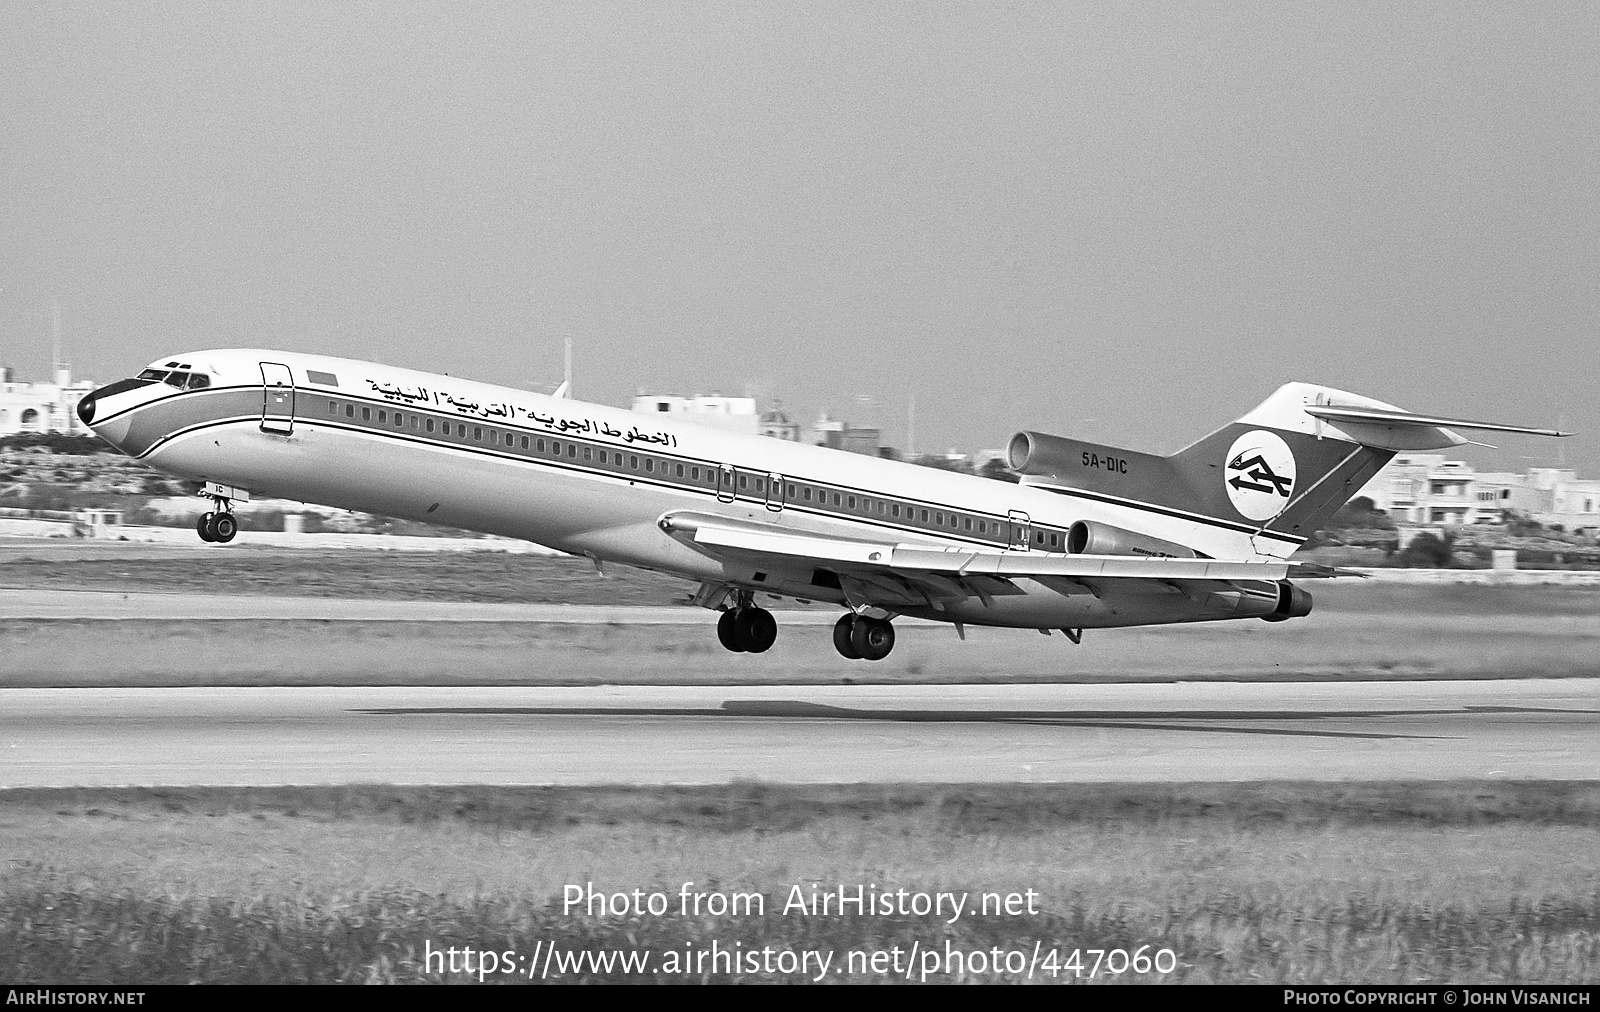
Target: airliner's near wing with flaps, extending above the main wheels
<point>918,574</point>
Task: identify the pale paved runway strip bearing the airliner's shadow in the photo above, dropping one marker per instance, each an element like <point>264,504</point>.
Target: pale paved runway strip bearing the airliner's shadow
<point>1542,729</point>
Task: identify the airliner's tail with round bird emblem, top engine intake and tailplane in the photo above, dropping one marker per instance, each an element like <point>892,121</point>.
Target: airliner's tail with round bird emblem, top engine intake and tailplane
<point>1286,467</point>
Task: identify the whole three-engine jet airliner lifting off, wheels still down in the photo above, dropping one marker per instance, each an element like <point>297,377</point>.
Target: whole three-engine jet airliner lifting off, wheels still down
<point>1092,537</point>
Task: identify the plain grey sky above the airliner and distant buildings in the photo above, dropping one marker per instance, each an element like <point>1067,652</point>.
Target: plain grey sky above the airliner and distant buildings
<point>1126,223</point>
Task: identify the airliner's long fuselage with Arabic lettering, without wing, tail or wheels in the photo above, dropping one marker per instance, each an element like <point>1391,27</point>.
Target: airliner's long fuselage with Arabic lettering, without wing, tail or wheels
<point>598,481</point>
